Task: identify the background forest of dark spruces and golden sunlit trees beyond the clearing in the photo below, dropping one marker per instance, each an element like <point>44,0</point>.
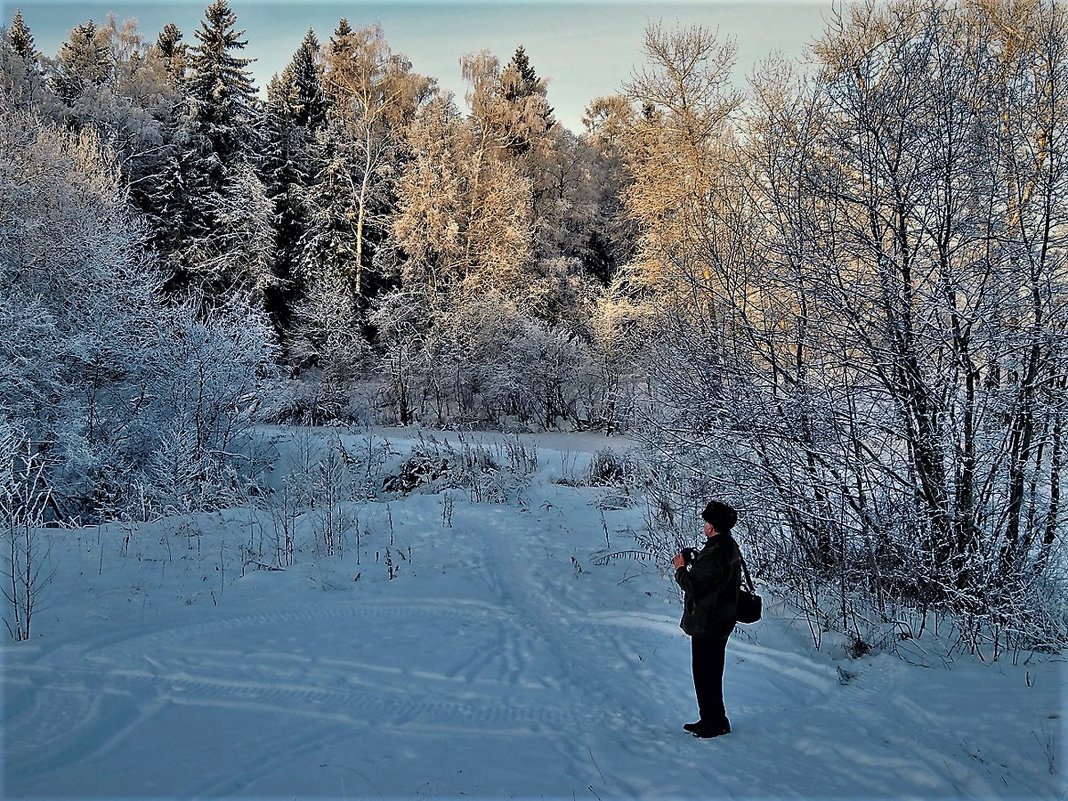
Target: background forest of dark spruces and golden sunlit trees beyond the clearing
<point>416,262</point>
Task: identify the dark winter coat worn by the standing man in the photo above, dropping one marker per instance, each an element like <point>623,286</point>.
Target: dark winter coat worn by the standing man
<point>712,583</point>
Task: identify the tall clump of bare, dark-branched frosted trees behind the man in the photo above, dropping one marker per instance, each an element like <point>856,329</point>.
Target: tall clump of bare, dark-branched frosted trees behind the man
<point>886,401</point>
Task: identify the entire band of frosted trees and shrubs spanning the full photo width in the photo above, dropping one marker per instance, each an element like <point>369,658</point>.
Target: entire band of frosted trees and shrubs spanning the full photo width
<point>837,301</point>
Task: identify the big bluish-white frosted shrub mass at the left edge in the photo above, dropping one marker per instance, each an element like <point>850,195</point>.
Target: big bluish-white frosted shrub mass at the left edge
<point>113,383</point>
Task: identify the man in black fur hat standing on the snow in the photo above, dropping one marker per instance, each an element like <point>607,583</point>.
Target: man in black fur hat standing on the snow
<point>711,580</point>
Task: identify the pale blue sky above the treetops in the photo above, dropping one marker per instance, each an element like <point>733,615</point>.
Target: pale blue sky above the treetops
<point>584,50</point>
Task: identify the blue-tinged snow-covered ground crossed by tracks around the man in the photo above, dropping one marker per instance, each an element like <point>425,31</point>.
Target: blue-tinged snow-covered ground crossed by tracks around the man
<point>500,661</point>
